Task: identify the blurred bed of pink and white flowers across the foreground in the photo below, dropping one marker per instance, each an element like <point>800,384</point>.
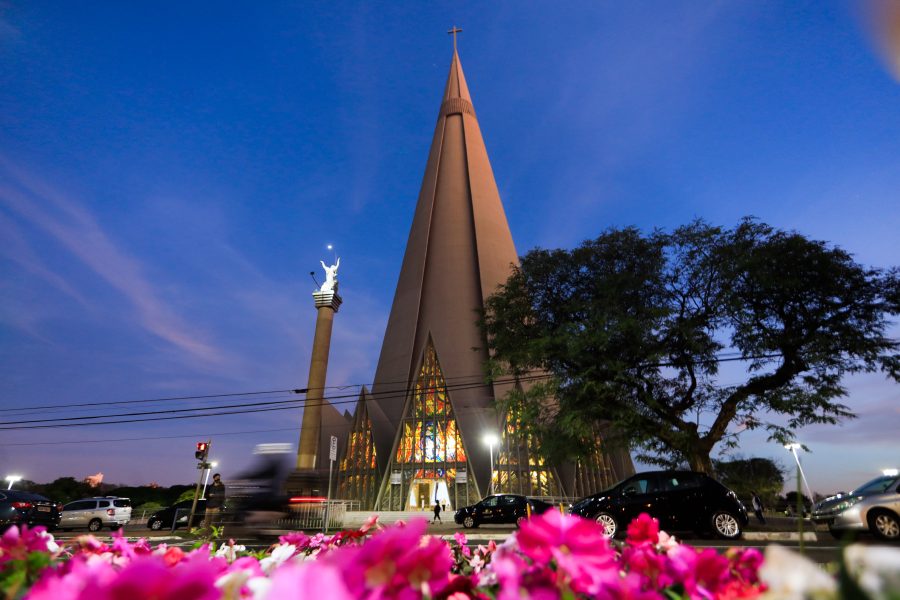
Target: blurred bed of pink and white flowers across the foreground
<point>551,556</point>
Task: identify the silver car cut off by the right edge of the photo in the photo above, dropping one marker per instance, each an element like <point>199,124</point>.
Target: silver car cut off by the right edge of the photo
<point>873,506</point>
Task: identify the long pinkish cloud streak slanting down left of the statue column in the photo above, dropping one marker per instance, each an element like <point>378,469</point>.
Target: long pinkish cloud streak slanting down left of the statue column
<point>72,226</point>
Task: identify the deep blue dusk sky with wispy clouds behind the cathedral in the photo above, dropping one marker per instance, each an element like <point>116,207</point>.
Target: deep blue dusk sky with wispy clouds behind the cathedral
<point>170,173</point>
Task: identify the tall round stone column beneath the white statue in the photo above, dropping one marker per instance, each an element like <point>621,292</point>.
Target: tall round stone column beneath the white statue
<point>327,304</point>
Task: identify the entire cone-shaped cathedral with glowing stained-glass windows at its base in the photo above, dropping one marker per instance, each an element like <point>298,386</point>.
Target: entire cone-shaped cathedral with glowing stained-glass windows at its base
<point>428,431</point>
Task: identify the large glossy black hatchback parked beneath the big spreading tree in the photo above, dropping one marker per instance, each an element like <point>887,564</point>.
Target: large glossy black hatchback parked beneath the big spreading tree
<point>680,500</point>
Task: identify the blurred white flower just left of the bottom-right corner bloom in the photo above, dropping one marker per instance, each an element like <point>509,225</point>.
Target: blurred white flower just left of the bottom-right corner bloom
<point>791,576</point>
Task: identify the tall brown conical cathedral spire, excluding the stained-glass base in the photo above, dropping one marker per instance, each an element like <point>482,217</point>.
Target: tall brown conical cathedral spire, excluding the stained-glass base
<point>459,251</point>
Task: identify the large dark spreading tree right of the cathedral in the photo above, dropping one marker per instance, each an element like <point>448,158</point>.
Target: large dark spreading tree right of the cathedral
<point>634,330</point>
